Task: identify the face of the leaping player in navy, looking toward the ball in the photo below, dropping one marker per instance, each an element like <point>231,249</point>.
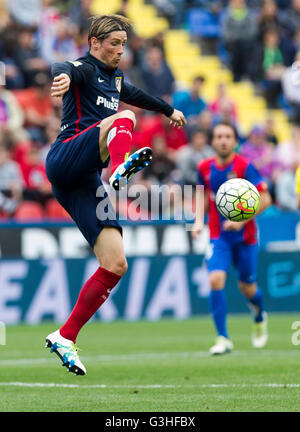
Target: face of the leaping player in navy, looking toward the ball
<point>112,48</point>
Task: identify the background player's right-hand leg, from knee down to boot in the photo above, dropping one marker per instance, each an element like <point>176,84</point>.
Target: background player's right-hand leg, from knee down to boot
<point>255,301</point>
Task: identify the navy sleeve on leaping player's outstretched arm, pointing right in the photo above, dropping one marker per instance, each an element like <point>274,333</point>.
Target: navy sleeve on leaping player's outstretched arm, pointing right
<point>137,97</point>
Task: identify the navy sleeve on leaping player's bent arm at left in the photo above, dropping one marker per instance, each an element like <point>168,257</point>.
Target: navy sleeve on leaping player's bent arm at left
<point>79,72</point>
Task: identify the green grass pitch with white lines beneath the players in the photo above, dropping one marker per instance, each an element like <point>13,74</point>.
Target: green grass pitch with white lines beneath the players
<point>153,366</point>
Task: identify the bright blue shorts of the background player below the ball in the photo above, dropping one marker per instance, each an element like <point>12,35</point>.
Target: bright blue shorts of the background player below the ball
<point>243,256</point>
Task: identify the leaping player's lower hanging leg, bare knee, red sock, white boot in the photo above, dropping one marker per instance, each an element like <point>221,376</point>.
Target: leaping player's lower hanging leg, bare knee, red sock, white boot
<point>109,250</point>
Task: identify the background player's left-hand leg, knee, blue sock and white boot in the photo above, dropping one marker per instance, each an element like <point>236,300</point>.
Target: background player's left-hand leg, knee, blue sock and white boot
<point>218,308</point>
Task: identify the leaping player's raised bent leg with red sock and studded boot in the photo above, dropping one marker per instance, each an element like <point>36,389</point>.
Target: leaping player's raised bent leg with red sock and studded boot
<point>115,139</point>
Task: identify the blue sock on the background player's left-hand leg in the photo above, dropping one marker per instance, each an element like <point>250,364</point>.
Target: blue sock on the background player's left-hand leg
<point>218,308</point>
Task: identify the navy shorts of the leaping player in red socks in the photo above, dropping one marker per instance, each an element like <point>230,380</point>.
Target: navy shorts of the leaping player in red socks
<point>73,167</point>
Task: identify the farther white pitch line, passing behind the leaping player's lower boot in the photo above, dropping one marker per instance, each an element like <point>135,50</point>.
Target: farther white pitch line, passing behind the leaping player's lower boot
<point>144,356</point>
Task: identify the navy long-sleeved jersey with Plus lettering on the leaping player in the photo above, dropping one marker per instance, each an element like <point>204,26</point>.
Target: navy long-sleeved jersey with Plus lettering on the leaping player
<point>95,92</point>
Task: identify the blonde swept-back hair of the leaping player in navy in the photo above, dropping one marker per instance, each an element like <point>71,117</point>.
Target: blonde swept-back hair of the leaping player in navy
<point>102,25</point>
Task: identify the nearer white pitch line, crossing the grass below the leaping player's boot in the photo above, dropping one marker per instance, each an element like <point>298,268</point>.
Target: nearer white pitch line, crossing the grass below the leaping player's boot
<point>144,386</point>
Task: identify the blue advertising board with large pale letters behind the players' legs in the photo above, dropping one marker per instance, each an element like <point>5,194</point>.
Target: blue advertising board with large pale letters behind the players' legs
<point>154,287</point>
